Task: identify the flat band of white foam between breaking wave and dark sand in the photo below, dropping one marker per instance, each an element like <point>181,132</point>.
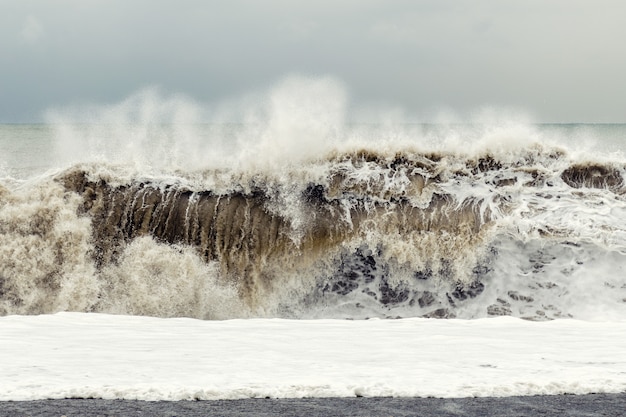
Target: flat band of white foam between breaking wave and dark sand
<point>102,356</point>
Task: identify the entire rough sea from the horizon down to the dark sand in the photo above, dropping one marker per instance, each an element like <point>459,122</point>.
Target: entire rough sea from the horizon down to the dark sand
<point>150,260</point>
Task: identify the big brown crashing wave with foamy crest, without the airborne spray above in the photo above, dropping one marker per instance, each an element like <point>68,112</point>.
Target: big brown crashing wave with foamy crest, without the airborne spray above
<point>357,234</point>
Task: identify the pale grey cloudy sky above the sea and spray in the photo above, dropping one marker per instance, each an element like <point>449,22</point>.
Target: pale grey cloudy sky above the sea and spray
<point>559,60</point>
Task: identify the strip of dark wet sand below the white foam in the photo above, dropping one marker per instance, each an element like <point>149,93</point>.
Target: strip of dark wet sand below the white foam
<point>553,405</point>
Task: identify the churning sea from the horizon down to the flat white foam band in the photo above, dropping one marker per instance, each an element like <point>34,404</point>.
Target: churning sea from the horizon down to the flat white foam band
<point>459,221</point>
